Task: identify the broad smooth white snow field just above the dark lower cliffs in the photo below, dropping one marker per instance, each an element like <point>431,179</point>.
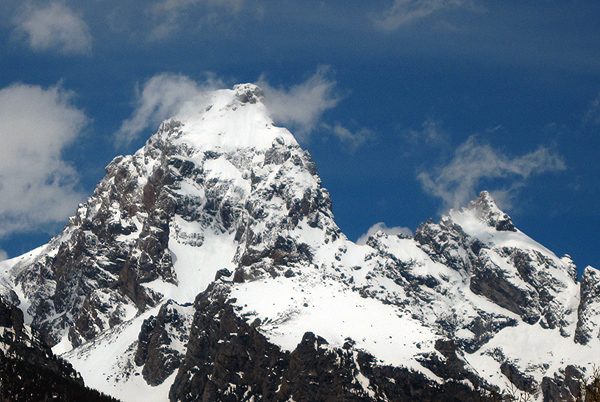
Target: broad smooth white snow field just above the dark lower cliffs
<point>289,307</point>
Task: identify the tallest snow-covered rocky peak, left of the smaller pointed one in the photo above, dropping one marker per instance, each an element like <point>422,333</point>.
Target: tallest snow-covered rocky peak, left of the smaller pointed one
<point>218,189</point>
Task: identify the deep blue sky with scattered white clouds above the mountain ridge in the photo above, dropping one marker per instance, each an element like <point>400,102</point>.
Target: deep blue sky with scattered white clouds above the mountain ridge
<point>409,107</point>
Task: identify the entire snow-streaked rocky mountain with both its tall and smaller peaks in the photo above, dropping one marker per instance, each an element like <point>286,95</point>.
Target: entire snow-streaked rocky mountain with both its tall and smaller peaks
<point>208,266</point>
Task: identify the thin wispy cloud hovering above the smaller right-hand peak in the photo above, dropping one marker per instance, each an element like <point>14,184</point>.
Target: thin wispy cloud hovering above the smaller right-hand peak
<point>457,182</point>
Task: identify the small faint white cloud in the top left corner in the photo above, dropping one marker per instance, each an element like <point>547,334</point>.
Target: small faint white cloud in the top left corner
<point>54,27</point>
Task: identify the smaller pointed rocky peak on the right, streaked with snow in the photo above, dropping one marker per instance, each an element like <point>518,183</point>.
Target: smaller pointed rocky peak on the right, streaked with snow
<point>527,281</point>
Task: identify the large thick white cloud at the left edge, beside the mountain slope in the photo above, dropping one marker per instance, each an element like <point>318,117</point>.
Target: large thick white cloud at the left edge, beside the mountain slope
<point>37,186</point>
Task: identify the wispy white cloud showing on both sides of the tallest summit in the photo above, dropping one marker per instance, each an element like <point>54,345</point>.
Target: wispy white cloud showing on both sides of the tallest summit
<point>299,107</point>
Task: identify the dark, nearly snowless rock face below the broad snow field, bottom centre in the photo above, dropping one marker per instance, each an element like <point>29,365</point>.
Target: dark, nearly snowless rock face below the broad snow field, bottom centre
<point>229,360</point>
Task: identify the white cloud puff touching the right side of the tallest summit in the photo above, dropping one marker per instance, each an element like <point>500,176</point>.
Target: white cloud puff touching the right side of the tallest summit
<point>302,106</point>
